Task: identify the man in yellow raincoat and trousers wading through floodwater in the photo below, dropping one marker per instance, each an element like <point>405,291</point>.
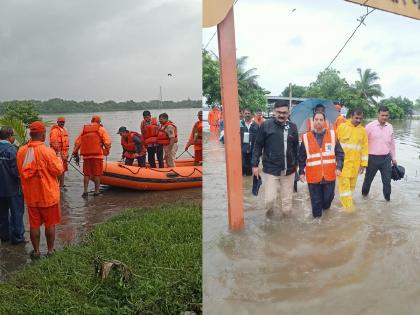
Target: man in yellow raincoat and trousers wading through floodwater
<point>354,141</point>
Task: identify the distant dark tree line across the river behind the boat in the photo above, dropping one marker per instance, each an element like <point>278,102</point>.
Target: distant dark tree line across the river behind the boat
<point>58,105</point>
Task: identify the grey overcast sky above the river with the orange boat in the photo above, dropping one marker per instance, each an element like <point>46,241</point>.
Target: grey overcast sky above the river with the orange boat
<point>100,49</point>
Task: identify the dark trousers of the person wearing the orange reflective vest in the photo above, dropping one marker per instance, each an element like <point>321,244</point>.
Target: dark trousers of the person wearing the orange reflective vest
<point>321,197</point>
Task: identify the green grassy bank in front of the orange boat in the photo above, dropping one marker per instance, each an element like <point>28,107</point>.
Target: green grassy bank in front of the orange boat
<point>161,246</point>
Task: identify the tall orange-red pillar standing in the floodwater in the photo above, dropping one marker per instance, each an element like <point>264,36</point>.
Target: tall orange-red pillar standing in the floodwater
<point>230,102</point>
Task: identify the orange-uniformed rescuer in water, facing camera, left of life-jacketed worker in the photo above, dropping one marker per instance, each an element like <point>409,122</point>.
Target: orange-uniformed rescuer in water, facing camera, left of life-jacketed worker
<point>59,141</point>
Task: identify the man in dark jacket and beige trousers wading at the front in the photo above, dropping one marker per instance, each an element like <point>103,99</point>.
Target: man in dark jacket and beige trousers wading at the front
<point>277,141</point>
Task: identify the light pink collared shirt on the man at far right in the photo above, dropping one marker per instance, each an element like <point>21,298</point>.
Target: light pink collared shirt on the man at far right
<point>381,139</point>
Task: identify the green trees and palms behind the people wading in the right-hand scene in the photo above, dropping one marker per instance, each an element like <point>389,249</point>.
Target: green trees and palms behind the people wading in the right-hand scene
<point>364,93</point>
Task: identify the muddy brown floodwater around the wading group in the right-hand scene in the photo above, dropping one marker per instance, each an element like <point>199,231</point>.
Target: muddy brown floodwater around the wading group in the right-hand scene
<point>366,262</point>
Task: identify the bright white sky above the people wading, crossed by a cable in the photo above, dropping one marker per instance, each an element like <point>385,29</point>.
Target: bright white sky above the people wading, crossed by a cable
<point>288,46</point>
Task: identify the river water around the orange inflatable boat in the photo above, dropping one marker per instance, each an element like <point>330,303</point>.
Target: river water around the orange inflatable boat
<point>78,214</point>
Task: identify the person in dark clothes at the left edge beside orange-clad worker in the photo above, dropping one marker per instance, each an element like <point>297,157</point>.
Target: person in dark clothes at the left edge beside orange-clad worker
<point>11,198</point>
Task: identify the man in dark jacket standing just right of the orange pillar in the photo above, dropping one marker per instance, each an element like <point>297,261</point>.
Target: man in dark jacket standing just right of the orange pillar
<point>248,129</point>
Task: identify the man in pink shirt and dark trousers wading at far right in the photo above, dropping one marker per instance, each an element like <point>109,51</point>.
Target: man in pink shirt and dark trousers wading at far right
<point>381,152</point>
